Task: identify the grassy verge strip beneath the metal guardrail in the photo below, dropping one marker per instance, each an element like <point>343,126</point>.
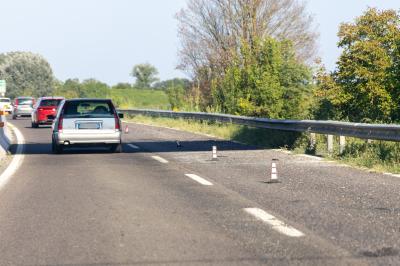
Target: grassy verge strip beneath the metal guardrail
<point>382,156</point>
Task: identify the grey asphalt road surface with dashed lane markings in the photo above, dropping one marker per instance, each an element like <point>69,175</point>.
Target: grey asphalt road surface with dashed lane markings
<point>159,204</point>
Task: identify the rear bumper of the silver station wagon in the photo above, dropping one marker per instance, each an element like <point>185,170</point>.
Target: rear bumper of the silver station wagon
<point>83,138</point>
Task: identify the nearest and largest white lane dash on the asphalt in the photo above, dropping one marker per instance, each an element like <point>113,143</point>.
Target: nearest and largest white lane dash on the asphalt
<point>276,224</point>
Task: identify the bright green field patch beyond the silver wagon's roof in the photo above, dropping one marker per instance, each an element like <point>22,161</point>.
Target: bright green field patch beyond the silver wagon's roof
<point>136,98</point>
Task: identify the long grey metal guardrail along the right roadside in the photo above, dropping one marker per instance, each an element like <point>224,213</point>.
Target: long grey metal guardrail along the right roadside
<point>357,130</point>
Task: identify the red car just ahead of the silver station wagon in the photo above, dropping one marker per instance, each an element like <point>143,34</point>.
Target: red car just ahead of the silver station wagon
<point>45,106</point>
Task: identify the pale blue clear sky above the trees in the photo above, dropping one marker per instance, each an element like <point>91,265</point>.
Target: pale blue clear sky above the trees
<point>104,39</point>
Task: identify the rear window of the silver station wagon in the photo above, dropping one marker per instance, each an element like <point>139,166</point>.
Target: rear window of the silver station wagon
<point>88,109</point>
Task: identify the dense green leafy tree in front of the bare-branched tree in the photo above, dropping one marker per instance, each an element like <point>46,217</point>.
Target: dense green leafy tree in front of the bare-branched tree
<point>265,80</point>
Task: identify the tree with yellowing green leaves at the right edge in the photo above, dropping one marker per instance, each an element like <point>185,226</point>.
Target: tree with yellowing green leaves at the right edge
<point>367,79</point>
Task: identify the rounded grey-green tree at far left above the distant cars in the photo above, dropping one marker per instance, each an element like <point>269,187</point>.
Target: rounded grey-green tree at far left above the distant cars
<point>26,74</point>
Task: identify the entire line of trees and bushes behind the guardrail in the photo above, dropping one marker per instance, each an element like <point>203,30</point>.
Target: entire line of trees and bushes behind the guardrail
<point>255,58</point>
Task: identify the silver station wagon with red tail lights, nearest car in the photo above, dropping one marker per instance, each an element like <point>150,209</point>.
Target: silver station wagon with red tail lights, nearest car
<point>86,122</point>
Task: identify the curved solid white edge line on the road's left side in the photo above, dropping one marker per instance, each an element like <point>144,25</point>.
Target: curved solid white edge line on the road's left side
<point>17,158</point>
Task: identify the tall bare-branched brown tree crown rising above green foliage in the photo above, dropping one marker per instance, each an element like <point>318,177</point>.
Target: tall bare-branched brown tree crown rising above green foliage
<point>212,32</point>
